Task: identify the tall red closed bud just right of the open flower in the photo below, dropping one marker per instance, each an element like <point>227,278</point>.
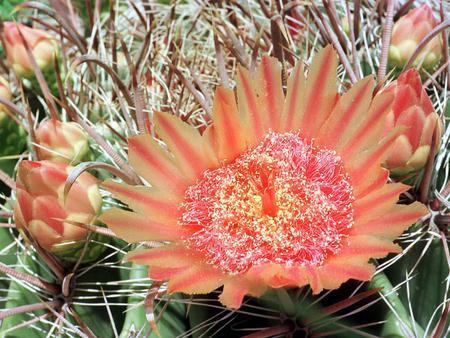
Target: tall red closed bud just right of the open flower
<point>413,109</point>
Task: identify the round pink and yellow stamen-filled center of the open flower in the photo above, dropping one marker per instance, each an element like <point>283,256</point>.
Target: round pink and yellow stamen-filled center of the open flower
<point>286,201</point>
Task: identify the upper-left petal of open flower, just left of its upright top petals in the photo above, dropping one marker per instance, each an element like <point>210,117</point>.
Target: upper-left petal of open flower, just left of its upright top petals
<point>192,152</point>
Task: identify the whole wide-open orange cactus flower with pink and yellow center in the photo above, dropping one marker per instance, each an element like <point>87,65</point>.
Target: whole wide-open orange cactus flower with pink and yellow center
<point>278,192</point>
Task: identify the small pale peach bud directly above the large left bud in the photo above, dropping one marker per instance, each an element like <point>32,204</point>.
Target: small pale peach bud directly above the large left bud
<point>61,141</point>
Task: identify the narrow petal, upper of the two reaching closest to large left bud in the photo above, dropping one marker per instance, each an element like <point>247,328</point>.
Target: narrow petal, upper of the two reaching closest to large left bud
<point>145,200</point>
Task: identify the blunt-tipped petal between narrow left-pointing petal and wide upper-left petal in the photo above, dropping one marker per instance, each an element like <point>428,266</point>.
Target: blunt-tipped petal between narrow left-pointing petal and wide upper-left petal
<point>154,164</point>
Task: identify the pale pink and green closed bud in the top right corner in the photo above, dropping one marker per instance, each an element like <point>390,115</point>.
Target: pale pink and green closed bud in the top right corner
<point>407,33</point>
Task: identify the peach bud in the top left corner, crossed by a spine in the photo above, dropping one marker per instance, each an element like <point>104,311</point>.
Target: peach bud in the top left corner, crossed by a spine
<point>43,47</point>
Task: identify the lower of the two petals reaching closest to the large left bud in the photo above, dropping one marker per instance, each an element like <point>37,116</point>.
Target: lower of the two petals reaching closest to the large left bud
<point>136,228</point>
